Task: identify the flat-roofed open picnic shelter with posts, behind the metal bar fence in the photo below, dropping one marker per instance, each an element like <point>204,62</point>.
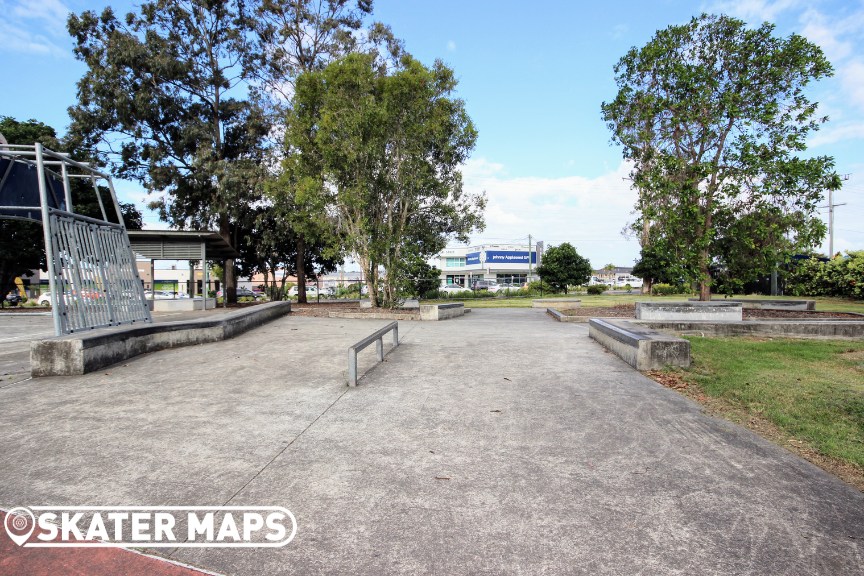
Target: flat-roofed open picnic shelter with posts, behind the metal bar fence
<point>189,245</point>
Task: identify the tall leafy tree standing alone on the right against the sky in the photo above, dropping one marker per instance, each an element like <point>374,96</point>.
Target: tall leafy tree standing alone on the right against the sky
<point>713,114</point>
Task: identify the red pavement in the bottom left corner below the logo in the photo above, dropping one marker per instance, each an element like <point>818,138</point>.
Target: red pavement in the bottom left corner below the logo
<point>18,561</point>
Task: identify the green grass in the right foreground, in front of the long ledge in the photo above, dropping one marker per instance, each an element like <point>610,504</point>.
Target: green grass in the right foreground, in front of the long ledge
<point>807,395</point>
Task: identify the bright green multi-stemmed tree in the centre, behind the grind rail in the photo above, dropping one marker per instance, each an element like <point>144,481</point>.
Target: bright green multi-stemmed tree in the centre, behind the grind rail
<point>389,143</point>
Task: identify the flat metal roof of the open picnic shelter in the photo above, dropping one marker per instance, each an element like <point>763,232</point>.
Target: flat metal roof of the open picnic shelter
<point>180,245</point>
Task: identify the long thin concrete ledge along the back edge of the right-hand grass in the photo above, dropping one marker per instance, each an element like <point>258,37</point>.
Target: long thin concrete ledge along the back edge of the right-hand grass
<point>776,328</point>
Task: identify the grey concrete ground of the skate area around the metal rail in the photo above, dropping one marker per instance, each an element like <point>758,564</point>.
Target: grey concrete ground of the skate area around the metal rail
<point>498,443</point>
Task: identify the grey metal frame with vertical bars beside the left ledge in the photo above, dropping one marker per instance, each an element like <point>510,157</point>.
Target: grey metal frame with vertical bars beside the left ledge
<point>91,267</point>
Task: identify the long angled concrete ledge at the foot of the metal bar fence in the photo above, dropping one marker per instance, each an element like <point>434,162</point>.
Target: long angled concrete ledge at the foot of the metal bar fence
<point>88,351</point>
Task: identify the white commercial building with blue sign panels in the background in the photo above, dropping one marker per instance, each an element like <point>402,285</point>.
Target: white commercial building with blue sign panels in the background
<point>504,263</point>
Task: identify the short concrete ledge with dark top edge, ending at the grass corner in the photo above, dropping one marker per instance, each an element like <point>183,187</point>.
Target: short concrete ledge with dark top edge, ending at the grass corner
<point>641,347</point>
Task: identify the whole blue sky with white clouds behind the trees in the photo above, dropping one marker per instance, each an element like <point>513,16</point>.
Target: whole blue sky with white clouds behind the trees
<point>533,76</point>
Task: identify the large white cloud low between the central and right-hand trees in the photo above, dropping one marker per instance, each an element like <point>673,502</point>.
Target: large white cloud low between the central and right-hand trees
<point>586,212</point>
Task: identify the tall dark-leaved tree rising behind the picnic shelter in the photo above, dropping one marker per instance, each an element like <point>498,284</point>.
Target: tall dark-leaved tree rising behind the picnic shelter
<point>164,92</point>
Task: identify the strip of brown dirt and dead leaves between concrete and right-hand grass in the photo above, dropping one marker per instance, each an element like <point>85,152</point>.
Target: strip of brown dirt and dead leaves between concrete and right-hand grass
<point>847,472</point>
